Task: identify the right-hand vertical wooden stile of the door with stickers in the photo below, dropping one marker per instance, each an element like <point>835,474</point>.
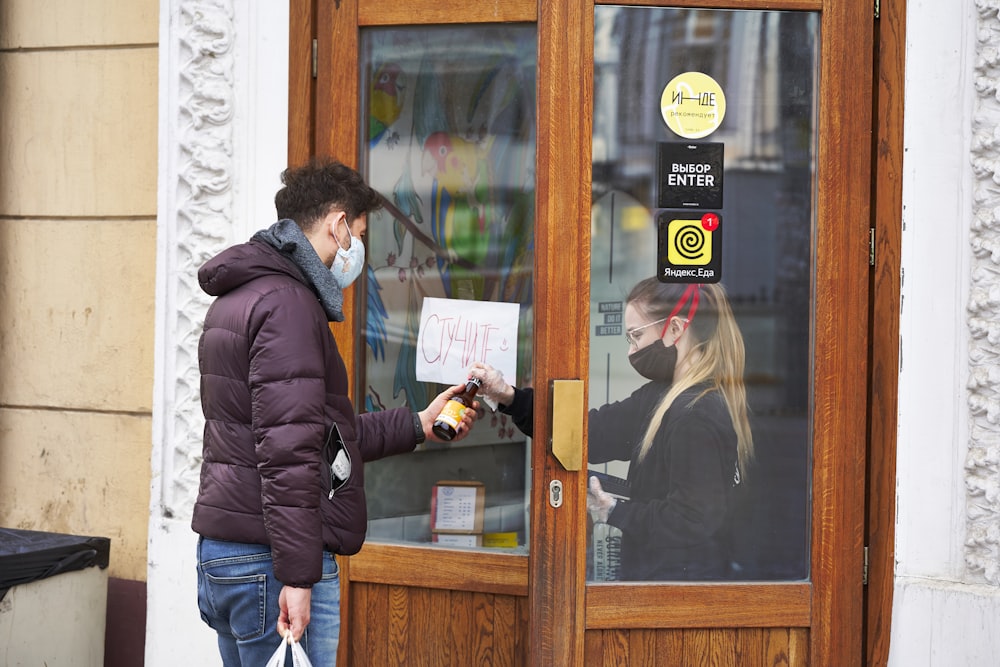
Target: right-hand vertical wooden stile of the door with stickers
<point>841,333</point>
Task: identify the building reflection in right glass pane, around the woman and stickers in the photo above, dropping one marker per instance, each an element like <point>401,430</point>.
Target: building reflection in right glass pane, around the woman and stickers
<point>765,63</point>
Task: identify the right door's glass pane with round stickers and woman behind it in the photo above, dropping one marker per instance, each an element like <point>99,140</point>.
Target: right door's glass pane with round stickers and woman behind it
<point>703,185</point>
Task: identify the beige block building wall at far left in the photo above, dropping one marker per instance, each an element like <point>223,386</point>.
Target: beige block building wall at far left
<point>78,184</point>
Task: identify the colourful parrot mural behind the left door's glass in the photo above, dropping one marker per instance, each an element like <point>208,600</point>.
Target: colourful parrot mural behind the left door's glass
<point>462,207</point>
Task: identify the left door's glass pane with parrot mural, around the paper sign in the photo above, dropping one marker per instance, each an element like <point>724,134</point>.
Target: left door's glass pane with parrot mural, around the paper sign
<point>450,142</point>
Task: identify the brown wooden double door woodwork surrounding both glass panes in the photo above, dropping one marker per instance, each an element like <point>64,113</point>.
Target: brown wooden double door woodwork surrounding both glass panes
<point>409,603</point>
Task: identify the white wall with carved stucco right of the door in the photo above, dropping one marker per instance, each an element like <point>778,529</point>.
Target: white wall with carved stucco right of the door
<point>946,600</point>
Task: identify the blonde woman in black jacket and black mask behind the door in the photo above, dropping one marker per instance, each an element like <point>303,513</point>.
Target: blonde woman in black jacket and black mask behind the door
<point>685,432</point>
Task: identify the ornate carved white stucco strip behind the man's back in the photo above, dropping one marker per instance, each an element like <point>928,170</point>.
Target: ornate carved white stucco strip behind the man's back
<point>195,220</point>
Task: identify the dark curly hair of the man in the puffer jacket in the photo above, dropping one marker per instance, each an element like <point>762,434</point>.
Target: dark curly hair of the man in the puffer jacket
<point>314,189</point>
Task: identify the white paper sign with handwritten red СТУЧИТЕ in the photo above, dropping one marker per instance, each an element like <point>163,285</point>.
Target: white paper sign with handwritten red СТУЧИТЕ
<point>456,332</point>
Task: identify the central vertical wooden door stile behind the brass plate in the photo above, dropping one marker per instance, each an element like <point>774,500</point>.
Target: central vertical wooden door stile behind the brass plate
<point>562,248</point>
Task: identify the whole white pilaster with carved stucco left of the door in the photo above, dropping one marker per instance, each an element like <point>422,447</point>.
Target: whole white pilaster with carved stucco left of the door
<point>222,130</point>
